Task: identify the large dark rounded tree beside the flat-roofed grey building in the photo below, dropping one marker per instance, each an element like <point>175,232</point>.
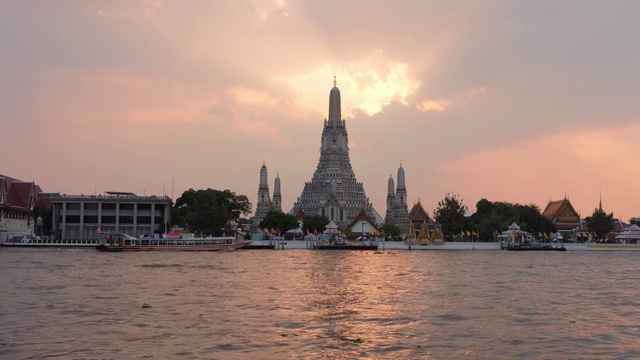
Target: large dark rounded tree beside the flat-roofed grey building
<point>209,211</point>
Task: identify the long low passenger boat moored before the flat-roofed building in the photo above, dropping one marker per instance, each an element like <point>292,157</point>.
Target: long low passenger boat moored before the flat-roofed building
<point>116,242</point>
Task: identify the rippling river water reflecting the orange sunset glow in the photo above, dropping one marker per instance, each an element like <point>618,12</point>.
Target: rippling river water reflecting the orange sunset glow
<point>83,304</point>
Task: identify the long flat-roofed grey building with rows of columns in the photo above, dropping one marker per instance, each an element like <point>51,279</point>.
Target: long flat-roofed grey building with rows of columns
<point>77,217</point>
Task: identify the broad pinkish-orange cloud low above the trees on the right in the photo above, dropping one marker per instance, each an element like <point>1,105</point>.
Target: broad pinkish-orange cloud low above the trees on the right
<point>578,164</point>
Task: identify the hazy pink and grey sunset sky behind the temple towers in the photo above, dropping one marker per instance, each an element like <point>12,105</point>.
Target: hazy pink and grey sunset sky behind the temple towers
<point>516,101</point>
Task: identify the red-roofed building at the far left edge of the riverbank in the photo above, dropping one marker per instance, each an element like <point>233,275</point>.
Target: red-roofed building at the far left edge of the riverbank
<point>17,201</point>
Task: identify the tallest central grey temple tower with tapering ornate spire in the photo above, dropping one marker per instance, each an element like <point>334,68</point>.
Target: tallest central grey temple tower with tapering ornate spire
<point>334,191</point>
